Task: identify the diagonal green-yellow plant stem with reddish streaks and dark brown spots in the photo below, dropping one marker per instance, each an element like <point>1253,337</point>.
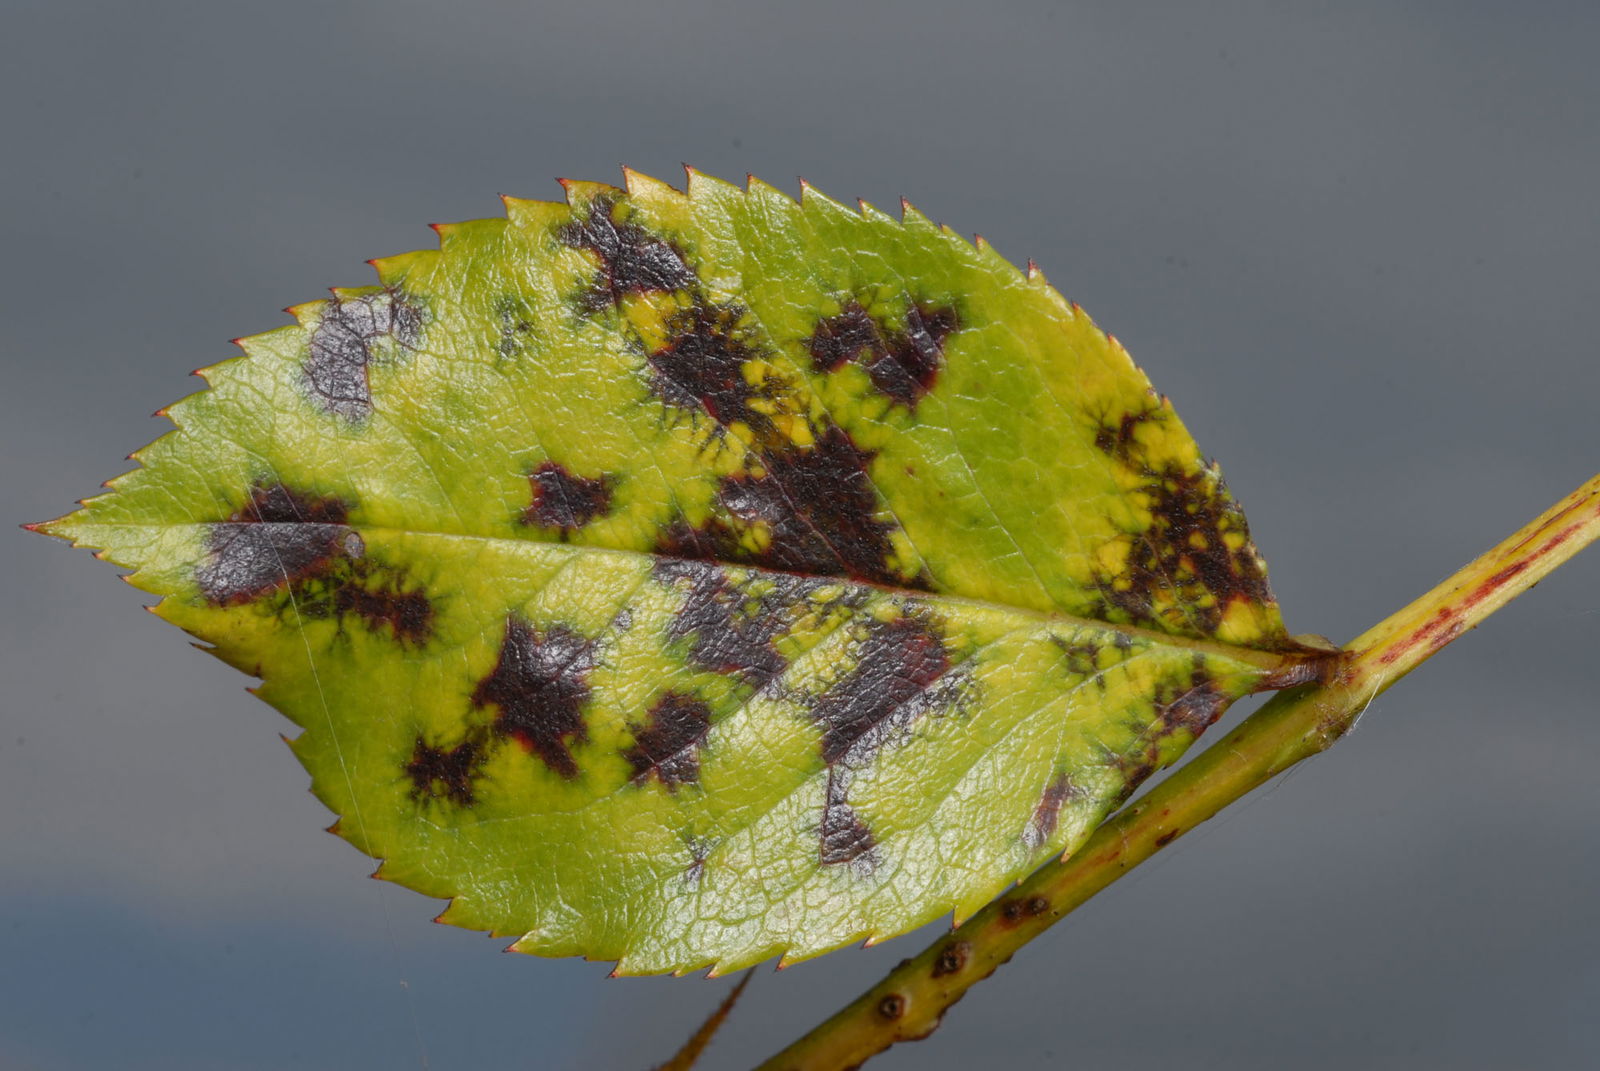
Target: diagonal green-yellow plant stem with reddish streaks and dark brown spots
<point>1294,726</point>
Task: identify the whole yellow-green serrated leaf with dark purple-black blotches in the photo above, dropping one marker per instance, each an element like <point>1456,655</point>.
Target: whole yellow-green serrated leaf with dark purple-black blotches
<point>692,579</point>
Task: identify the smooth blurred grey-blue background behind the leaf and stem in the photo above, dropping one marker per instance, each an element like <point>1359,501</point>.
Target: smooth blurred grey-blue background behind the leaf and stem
<point>1356,244</point>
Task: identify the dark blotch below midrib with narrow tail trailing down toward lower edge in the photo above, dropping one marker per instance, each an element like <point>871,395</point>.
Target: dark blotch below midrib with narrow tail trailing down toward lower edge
<point>903,673</point>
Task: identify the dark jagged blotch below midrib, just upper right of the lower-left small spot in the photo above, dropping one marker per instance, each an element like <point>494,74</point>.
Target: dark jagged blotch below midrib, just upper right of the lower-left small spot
<point>540,686</point>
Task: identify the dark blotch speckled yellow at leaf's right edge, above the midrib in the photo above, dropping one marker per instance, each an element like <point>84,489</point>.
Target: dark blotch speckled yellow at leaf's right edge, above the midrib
<point>1196,558</point>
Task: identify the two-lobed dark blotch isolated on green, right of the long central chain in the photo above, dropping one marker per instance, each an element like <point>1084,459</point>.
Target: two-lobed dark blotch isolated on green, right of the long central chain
<point>902,359</point>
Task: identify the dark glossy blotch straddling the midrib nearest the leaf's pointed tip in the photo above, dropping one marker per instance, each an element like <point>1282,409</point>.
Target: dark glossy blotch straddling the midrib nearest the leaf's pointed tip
<point>281,537</point>
